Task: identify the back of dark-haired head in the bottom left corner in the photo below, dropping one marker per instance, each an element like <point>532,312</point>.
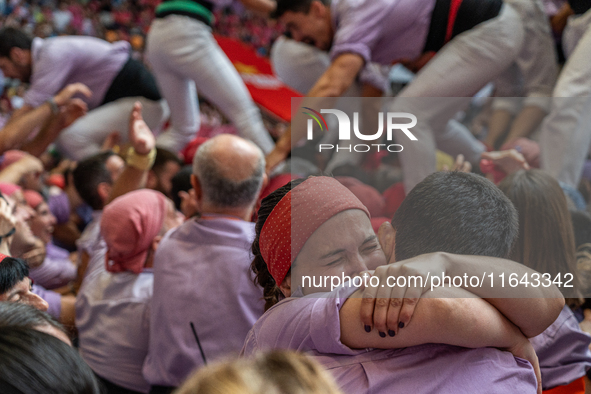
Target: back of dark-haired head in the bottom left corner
<point>33,362</point>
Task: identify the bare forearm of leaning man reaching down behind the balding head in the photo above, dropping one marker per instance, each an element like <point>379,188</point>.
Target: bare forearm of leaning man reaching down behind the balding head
<point>335,81</point>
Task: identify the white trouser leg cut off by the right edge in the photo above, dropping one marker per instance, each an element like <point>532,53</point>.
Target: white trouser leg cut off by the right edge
<point>566,132</point>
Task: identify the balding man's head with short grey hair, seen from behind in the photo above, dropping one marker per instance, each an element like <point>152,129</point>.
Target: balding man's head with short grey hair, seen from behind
<point>230,171</point>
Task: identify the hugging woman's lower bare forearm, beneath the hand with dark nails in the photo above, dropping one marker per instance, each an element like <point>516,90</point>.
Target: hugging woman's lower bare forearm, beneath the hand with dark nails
<point>467,322</point>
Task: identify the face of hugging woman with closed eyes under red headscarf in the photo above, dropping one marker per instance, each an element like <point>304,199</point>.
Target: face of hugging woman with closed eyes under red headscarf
<point>344,245</point>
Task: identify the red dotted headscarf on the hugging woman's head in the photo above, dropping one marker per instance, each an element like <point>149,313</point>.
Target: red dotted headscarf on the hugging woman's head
<point>295,218</point>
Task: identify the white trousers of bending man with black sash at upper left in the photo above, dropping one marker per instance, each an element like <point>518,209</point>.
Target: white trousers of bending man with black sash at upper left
<point>86,136</point>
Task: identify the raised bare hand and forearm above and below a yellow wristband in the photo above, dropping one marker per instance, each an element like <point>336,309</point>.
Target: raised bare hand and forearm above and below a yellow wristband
<point>143,142</point>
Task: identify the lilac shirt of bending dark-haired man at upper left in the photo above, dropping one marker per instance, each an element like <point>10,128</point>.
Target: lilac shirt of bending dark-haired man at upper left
<point>60,61</point>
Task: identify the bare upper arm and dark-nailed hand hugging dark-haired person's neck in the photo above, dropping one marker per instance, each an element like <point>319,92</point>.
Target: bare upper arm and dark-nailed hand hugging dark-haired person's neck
<point>530,308</point>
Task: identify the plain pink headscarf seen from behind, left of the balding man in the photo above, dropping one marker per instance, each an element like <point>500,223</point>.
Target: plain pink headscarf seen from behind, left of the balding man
<point>129,225</point>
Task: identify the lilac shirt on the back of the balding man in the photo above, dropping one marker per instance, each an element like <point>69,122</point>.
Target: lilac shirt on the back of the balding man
<point>201,275</point>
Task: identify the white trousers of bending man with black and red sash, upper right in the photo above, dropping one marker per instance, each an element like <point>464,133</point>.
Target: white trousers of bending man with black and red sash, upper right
<point>446,84</point>
